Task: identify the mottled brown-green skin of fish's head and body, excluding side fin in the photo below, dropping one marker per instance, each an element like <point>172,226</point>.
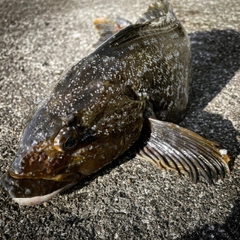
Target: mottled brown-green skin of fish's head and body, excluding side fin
<point>103,101</point>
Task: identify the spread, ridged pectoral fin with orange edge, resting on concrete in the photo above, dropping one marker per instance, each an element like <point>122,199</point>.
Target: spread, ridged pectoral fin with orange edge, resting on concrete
<point>172,147</point>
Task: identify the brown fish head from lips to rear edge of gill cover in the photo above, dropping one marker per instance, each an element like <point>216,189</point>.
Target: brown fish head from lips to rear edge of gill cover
<point>64,142</point>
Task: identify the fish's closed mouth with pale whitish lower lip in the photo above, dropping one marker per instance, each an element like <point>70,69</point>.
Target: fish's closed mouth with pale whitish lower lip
<point>34,191</point>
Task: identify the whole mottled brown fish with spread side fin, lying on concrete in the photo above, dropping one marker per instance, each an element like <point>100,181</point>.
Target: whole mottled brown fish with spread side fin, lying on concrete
<point>130,91</point>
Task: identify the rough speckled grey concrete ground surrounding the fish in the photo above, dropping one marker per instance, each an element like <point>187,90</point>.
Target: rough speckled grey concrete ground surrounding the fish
<point>128,199</point>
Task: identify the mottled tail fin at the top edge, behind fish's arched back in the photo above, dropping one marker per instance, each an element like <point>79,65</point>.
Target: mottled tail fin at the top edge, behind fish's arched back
<point>156,11</point>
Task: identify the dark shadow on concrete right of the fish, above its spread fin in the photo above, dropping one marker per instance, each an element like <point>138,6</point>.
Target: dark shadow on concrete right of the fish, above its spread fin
<point>216,59</point>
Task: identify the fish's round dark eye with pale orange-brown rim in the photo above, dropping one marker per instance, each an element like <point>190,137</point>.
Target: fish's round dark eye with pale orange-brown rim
<point>67,139</point>
